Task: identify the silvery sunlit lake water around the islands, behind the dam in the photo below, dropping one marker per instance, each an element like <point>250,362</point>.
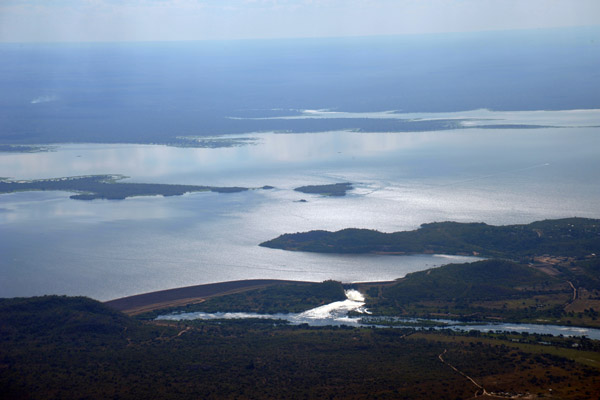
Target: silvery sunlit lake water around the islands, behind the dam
<point>108,249</point>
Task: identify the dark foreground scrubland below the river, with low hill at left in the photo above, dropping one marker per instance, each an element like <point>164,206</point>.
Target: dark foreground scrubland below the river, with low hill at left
<point>71,348</point>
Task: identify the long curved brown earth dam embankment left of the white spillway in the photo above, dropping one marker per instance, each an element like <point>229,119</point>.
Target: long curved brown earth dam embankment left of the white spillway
<point>141,303</point>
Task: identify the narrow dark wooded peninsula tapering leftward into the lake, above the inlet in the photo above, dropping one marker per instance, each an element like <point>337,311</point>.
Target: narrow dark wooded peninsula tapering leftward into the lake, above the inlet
<point>569,237</point>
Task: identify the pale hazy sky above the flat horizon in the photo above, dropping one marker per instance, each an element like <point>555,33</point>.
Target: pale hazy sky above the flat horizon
<point>133,20</point>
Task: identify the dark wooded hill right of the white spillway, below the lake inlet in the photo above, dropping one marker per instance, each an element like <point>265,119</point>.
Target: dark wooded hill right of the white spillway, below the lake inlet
<point>493,290</point>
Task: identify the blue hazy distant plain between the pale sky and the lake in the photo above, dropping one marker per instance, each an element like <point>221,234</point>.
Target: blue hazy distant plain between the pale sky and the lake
<point>151,92</point>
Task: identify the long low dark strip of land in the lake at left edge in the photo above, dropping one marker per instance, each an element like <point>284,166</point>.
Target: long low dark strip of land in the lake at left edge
<point>107,187</point>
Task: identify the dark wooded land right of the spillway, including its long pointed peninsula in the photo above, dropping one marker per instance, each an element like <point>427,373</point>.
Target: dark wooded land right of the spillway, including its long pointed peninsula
<point>542,272</point>
